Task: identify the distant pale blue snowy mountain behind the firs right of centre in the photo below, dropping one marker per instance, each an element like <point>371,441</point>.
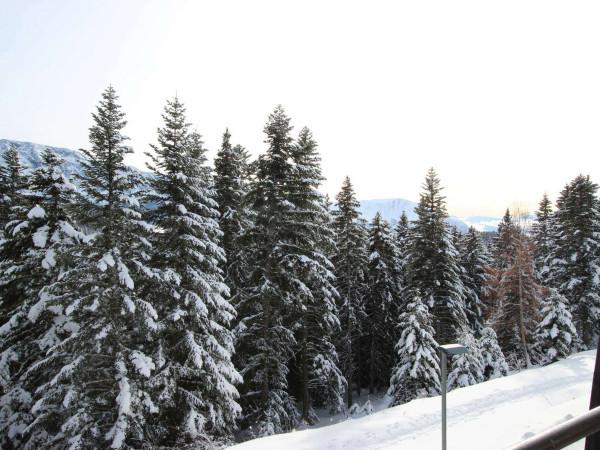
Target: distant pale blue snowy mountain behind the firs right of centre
<point>391,210</point>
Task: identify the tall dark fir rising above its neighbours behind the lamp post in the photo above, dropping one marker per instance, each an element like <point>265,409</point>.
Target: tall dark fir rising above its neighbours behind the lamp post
<point>435,269</point>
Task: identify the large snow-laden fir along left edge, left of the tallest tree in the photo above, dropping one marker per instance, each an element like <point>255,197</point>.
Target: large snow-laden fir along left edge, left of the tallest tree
<point>35,247</point>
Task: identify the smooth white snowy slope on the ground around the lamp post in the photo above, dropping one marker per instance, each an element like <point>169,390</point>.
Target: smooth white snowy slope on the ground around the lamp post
<point>491,415</point>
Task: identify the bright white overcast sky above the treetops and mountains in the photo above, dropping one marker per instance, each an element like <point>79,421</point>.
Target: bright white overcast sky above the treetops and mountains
<point>502,98</point>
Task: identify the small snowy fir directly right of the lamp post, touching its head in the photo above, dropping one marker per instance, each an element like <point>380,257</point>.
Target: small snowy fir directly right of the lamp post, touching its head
<point>467,368</point>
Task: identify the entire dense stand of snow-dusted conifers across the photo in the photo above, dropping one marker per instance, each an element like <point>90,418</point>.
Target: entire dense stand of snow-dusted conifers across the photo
<point>202,304</point>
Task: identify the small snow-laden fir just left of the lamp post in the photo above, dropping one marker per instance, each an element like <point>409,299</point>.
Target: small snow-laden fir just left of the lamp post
<point>417,368</point>
